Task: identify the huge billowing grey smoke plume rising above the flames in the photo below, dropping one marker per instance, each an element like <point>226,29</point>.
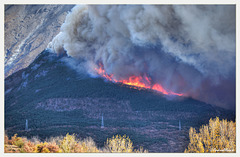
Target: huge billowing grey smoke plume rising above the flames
<point>186,48</point>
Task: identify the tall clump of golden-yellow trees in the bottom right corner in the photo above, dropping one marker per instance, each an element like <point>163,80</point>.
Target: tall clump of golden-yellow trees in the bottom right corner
<point>217,137</point>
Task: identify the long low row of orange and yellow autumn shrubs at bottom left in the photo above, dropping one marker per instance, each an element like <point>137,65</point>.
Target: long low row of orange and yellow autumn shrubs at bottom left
<point>69,144</point>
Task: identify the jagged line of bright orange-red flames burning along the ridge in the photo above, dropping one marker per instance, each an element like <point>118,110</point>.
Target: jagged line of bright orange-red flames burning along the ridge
<point>136,81</point>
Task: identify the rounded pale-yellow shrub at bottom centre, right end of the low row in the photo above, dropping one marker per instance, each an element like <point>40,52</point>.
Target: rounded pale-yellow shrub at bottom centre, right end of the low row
<point>119,144</point>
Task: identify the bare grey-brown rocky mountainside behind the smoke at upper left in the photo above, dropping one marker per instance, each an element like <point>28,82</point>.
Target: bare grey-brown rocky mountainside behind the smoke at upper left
<point>28,29</point>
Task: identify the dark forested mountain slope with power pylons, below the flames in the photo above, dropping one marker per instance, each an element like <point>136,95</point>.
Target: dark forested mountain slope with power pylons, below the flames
<point>56,99</point>
